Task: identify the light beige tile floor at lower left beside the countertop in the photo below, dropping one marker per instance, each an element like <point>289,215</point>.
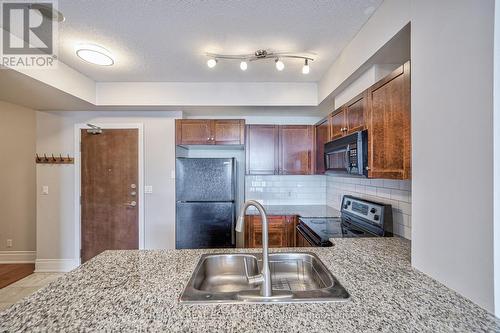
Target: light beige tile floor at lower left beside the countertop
<point>25,287</point>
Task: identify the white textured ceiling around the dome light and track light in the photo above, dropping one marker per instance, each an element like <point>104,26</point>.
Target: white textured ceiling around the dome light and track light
<point>155,40</point>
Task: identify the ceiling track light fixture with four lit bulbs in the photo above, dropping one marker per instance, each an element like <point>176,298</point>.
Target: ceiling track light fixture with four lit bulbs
<point>244,59</point>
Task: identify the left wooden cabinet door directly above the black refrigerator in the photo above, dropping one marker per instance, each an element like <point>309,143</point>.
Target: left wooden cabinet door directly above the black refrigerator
<point>193,132</point>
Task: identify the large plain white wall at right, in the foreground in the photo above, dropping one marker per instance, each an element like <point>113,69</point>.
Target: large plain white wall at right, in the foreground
<point>452,128</point>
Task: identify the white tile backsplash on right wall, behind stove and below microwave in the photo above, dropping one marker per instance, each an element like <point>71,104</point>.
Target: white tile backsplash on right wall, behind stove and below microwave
<point>397,193</point>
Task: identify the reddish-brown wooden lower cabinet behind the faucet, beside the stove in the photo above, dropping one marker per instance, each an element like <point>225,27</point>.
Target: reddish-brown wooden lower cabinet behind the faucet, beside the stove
<point>281,231</point>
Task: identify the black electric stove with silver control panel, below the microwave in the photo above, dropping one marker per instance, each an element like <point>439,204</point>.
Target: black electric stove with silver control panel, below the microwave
<point>359,218</point>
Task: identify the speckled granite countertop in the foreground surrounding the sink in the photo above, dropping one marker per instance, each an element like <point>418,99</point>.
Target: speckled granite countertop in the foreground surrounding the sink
<point>139,291</point>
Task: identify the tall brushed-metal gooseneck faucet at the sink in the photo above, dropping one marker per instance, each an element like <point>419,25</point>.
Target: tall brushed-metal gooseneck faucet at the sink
<point>264,278</point>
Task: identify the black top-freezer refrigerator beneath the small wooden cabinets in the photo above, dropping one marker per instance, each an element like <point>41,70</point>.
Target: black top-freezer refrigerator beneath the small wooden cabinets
<point>205,207</point>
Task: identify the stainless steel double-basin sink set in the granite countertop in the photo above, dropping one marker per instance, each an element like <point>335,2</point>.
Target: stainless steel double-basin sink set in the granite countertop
<point>296,277</point>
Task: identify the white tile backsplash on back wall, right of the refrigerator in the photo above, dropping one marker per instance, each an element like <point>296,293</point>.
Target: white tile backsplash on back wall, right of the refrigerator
<point>286,190</point>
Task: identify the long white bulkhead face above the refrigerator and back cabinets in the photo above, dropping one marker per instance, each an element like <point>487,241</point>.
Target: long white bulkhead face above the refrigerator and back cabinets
<point>207,93</point>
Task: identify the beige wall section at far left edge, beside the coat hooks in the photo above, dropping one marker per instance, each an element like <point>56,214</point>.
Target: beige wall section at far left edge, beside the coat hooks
<point>17,179</point>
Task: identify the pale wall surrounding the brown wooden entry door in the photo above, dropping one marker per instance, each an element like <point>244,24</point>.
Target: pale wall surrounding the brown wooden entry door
<point>56,228</point>
